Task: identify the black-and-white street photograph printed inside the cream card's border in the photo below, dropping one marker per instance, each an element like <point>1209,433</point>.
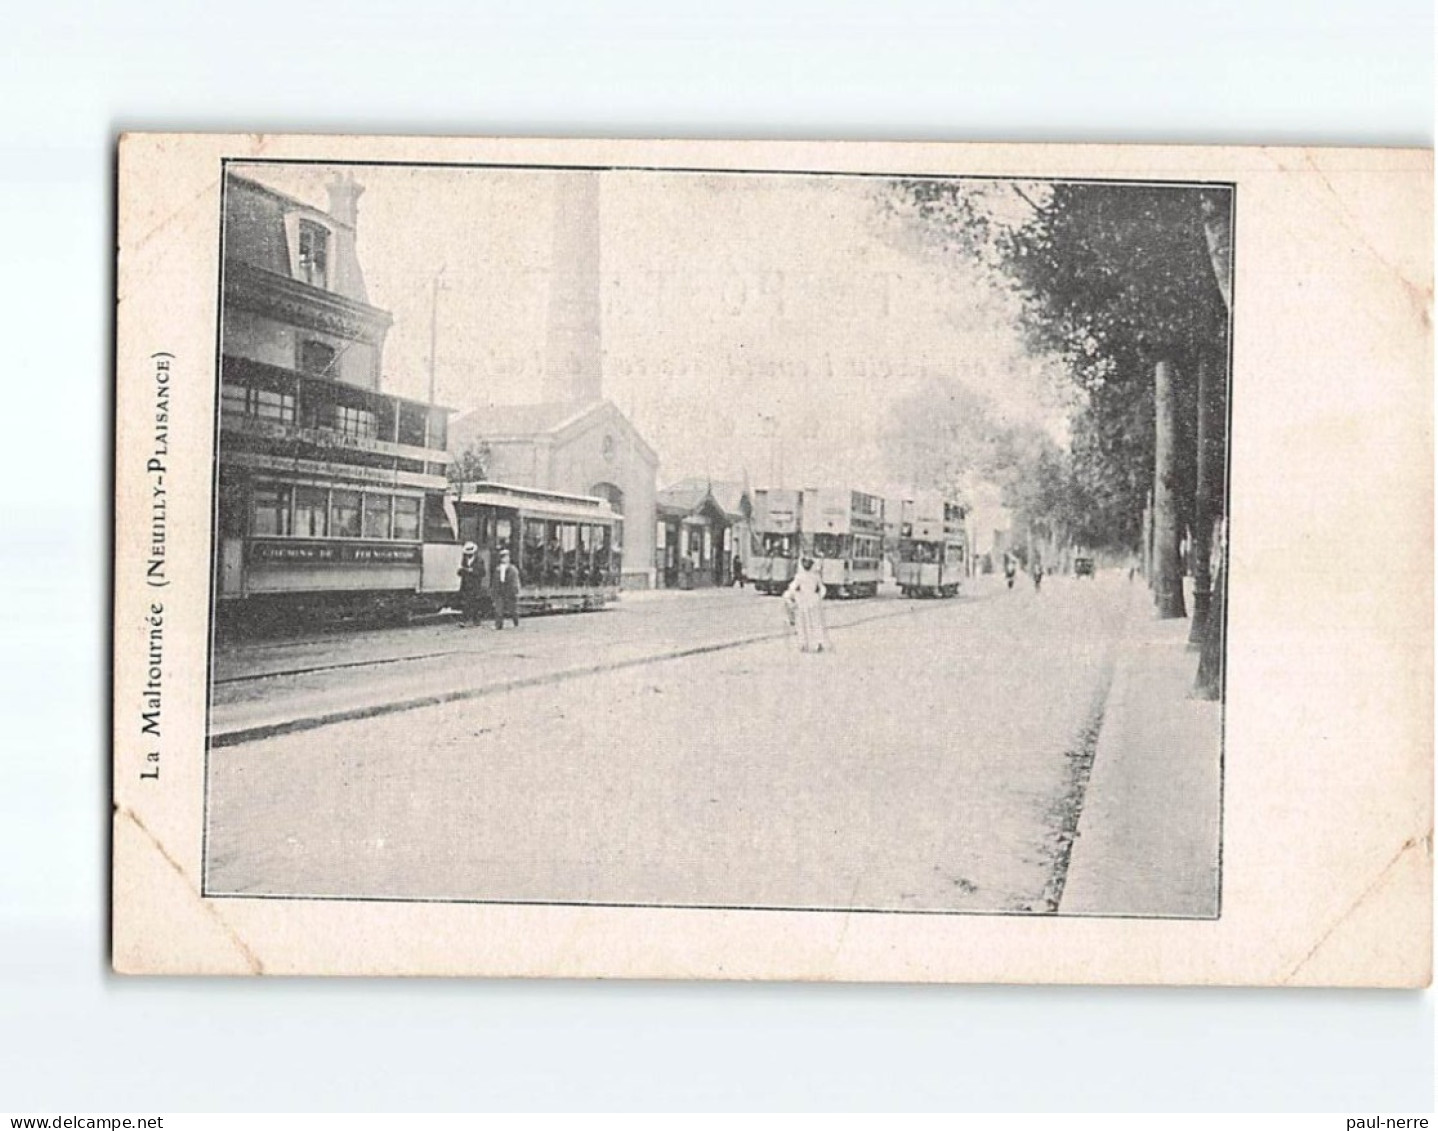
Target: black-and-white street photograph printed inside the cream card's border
<point>720,540</point>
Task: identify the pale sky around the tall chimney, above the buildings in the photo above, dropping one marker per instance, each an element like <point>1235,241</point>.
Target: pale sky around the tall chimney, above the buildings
<point>753,324</point>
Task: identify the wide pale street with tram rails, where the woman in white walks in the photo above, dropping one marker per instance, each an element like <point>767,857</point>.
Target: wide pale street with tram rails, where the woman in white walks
<point>934,762</point>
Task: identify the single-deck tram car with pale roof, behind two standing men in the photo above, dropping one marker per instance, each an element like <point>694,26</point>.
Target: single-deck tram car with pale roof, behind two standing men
<point>569,548</point>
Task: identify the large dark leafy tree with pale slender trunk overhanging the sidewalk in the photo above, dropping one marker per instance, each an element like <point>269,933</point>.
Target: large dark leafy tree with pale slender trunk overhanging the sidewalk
<point>1119,281</point>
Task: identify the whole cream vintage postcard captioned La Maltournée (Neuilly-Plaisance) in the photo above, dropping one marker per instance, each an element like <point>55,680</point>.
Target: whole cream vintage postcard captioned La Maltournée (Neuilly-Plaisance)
<point>773,561</point>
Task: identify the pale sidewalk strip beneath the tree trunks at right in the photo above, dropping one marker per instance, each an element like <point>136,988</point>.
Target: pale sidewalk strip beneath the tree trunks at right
<point>1148,834</point>
